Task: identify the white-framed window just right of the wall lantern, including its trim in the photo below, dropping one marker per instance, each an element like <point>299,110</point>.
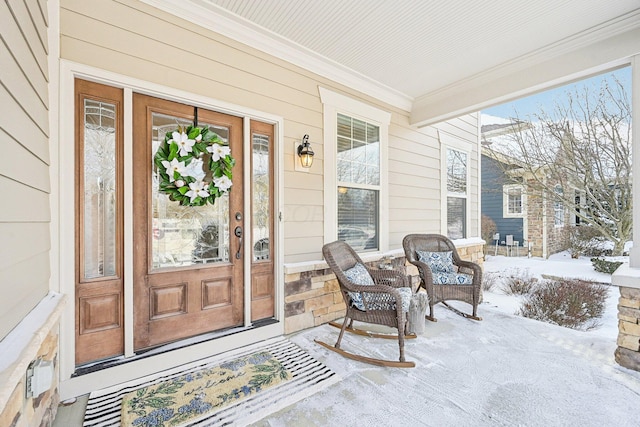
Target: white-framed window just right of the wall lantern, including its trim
<point>356,136</point>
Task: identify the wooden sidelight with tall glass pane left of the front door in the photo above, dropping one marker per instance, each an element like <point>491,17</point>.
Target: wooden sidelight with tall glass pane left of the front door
<point>99,222</point>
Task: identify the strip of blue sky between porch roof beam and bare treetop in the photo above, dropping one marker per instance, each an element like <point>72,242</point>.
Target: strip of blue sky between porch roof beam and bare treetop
<point>531,104</point>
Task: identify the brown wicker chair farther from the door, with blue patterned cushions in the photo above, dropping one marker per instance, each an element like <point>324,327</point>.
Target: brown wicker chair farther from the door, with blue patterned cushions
<point>463,283</point>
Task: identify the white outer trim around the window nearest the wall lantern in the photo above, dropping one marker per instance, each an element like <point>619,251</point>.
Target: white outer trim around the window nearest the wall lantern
<point>333,104</point>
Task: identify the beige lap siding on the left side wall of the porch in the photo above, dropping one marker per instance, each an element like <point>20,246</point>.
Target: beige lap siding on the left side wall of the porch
<point>24,170</point>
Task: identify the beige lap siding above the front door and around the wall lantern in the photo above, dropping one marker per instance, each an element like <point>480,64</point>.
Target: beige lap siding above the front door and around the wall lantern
<point>134,39</point>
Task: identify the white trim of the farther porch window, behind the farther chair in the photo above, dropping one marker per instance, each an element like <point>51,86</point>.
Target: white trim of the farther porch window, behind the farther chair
<point>461,146</point>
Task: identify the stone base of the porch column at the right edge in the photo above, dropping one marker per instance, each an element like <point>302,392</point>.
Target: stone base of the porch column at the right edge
<point>628,352</point>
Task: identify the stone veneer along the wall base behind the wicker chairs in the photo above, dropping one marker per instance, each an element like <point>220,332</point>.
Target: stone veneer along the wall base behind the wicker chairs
<point>312,293</point>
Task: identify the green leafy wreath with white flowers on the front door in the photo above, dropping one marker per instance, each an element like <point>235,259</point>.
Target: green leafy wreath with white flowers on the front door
<point>180,160</point>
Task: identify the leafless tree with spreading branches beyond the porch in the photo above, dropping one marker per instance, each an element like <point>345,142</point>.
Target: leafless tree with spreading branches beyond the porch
<point>579,155</point>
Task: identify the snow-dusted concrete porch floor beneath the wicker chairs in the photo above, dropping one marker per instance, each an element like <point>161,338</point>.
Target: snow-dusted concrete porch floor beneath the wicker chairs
<point>502,371</point>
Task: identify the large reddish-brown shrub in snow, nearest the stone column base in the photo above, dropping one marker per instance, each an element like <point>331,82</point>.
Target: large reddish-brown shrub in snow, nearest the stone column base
<point>571,303</point>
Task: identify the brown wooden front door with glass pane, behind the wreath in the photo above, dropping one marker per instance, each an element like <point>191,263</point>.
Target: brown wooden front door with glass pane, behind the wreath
<point>188,260</point>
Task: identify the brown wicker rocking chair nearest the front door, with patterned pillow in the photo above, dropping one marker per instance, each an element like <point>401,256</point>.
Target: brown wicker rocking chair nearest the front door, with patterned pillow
<point>372,296</point>
